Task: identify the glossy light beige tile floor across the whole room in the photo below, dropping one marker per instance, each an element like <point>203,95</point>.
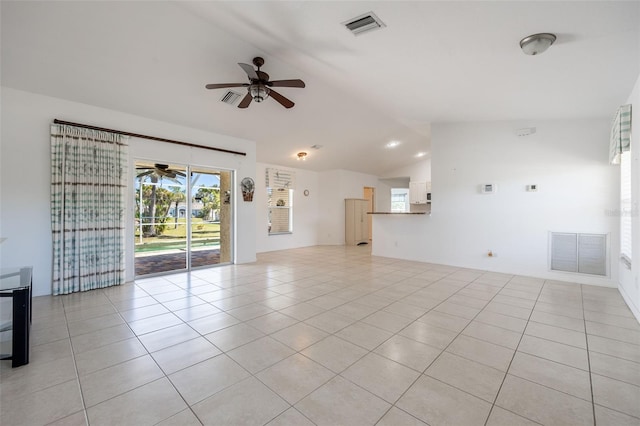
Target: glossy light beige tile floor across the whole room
<point>330,335</point>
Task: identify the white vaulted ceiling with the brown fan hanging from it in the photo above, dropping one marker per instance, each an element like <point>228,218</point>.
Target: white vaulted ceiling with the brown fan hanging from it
<point>434,62</point>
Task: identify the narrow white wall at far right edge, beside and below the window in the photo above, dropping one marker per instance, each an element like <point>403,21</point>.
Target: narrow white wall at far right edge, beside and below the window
<point>628,284</point>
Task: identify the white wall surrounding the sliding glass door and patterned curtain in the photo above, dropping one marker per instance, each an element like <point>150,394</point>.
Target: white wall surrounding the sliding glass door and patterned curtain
<point>25,174</point>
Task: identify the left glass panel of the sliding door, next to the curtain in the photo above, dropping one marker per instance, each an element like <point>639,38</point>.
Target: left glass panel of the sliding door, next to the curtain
<point>162,217</point>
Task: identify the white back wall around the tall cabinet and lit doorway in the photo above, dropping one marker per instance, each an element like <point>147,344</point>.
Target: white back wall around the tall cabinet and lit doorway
<point>335,186</point>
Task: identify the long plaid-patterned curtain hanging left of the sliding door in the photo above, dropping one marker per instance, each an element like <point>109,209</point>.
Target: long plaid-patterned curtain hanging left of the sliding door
<point>88,170</point>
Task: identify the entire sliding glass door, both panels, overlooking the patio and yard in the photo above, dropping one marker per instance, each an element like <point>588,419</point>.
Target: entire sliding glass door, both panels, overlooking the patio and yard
<point>183,217</point>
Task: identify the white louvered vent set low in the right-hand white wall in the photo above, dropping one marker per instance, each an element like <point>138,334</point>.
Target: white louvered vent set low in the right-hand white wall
<point>579,253</point>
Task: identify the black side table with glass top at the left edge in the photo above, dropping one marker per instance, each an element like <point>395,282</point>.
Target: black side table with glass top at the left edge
<point>16,283</point>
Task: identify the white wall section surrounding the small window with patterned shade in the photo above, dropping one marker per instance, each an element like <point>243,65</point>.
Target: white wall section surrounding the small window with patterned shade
<point>306,216</point>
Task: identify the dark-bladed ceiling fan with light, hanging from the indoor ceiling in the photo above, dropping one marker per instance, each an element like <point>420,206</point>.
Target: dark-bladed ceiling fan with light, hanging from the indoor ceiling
<point>260,87</point>
